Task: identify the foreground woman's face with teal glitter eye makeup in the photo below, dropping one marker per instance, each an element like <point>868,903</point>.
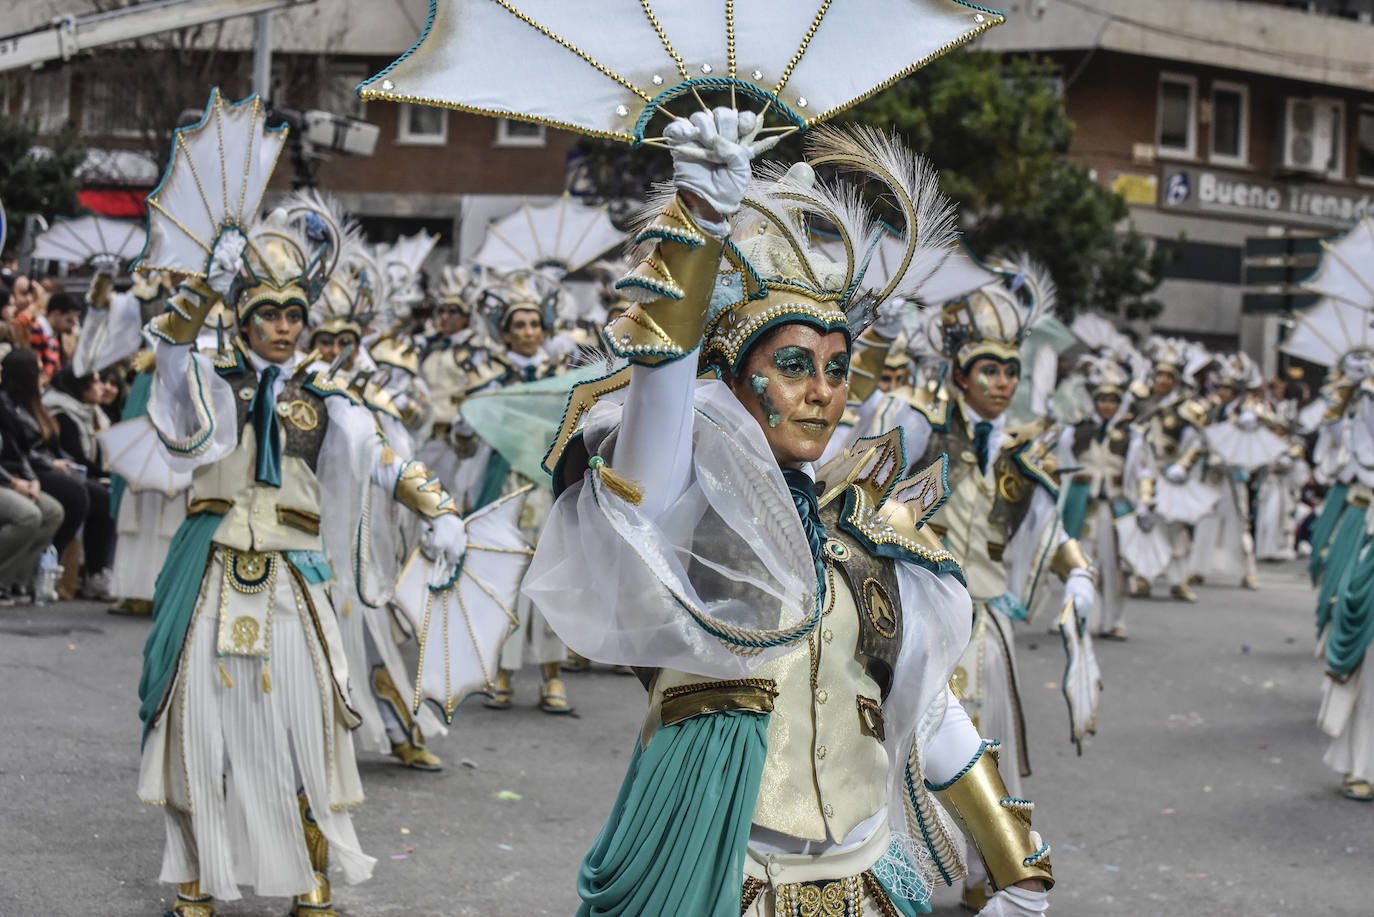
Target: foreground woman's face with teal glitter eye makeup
<point>795,383</point>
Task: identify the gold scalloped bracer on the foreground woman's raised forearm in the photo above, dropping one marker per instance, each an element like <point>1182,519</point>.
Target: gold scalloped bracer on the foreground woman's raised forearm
<point>681,273</point>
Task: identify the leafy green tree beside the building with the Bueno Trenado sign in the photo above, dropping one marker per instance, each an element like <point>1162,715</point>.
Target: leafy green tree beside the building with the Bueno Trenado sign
<point>998,133</point>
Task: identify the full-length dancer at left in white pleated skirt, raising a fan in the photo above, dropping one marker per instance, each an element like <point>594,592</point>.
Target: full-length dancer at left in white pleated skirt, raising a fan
<point>245,685</point>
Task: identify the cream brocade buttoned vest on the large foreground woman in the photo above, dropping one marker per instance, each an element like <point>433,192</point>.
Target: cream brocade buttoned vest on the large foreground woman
<point>824,775</point>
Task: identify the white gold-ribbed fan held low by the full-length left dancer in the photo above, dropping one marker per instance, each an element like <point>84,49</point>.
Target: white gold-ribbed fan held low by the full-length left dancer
<point>461,629</point>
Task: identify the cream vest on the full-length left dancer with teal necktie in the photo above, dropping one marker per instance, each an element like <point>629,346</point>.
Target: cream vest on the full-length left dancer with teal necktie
<point>260,518</point>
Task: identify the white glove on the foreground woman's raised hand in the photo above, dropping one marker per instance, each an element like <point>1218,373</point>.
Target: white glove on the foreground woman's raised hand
<point>712,155</point>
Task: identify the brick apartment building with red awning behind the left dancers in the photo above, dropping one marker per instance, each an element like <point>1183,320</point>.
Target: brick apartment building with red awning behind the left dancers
<point>444,171</point>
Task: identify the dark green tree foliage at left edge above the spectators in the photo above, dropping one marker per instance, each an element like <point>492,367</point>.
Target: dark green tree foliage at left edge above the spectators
<point>36,181</point>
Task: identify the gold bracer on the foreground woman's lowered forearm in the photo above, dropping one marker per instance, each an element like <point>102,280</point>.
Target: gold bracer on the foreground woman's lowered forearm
<point>998,824</point>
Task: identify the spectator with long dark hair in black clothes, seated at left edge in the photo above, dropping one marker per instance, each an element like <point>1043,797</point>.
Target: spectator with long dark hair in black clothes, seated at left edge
<point>32,439</point>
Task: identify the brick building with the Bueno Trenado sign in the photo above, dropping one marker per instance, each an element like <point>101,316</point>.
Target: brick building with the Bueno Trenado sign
<point>1240,131</point>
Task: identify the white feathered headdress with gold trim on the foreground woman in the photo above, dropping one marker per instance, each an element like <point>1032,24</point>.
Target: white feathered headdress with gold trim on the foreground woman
<point>774,276</point>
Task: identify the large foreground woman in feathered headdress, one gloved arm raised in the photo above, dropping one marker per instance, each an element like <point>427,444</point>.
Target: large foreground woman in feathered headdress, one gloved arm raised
<point>796,626</point>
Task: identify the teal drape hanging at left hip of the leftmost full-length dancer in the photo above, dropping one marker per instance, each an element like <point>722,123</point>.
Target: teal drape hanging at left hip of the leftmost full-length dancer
<point>174,603</point>
